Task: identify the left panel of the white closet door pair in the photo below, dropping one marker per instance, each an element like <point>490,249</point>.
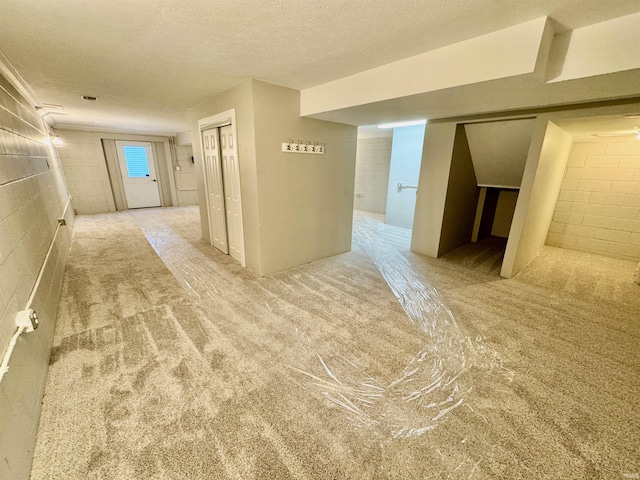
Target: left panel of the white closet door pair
<point>215,189</point>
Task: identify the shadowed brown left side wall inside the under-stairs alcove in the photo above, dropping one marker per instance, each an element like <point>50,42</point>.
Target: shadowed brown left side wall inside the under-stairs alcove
<point>462,196</point>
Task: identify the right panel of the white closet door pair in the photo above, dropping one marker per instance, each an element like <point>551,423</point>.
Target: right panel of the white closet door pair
<point>233,206</point>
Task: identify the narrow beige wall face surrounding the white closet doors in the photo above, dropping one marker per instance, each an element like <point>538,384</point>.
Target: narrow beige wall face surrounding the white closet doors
<point>239,98</point>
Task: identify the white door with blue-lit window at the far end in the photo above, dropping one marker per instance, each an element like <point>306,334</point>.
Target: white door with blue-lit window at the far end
<point>138,174</point>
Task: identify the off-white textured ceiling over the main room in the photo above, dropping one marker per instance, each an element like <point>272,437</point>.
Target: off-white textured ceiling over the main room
<point>150,60</point>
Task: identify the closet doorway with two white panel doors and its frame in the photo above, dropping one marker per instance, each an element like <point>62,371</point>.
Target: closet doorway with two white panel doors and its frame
<point>218,139</point>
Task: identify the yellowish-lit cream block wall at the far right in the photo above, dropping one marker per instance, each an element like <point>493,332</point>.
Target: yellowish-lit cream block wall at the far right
<point>598,209</point>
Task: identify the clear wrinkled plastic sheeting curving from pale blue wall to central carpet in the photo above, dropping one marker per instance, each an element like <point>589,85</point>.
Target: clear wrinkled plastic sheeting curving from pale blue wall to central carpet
<point>434,383</point>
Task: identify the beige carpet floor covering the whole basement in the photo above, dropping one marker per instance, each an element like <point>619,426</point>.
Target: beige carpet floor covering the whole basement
<point>170,361</point>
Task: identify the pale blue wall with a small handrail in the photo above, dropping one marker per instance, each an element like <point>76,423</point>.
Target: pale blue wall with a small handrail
<point>406,155</point>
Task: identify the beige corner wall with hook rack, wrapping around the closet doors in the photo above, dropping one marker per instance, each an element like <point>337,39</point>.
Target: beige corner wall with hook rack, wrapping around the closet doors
<point>296,208</point>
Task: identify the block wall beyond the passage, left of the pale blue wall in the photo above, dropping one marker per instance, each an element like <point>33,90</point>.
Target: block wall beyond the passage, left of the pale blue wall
<point>373,160</point>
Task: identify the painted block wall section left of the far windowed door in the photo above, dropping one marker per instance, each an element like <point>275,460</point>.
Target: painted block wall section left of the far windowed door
<point>86,172</point>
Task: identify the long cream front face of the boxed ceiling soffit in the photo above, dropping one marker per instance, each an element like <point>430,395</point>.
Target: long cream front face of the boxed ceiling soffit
<point>509,52</point>
